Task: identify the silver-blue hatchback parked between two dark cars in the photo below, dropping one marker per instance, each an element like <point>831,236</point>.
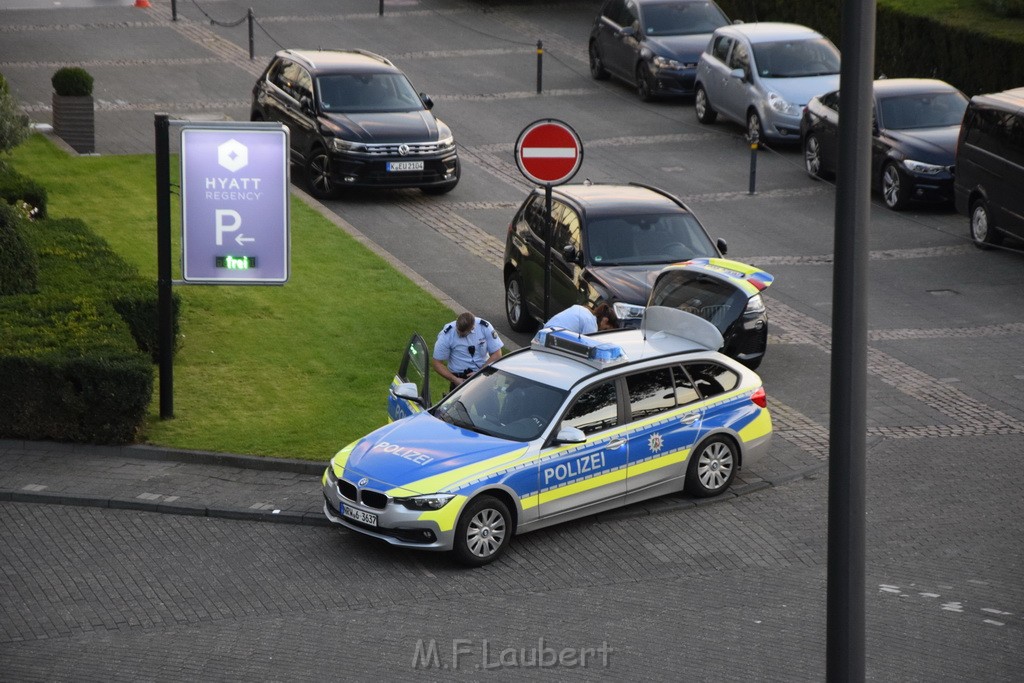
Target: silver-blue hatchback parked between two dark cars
<point>762,75</point>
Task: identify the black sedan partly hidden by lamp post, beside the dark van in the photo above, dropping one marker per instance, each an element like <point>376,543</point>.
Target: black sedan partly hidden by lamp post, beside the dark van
<point>914,139</point>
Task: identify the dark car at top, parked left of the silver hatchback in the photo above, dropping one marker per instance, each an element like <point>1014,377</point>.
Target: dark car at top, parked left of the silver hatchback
<point>653,45</point>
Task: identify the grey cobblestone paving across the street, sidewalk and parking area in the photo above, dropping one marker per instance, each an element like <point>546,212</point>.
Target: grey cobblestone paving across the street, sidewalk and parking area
<point>101,587</point>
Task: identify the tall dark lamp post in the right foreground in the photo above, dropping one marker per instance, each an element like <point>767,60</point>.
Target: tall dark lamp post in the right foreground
<point>847,420</point>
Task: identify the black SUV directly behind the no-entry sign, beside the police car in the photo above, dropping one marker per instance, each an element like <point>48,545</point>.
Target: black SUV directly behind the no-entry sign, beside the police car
<point>609,244</point>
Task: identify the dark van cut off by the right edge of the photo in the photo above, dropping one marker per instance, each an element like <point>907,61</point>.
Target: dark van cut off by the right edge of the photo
<point>990,176</point>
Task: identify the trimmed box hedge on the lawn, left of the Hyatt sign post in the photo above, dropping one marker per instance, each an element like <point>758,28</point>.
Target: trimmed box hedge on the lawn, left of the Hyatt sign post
<point>76,358</point>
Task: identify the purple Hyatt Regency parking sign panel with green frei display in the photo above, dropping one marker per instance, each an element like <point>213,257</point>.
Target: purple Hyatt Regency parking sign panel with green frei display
<point>235,215</point>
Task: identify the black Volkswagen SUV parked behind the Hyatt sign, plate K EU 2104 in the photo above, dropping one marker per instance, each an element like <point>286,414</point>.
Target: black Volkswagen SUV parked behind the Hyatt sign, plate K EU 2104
<point>356,121</point>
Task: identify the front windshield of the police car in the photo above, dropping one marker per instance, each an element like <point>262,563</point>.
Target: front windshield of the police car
<point>502,405</point>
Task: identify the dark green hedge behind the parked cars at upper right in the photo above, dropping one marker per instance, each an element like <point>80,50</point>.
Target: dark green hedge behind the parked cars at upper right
<point>907,46</point>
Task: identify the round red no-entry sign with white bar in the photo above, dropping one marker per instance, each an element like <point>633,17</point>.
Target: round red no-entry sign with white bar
<point>549,152</point>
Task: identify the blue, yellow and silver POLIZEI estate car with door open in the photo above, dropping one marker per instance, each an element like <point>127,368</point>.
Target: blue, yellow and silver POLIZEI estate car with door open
<point>570,426</point>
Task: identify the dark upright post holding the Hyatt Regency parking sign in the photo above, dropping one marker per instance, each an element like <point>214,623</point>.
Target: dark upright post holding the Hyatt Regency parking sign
<point>165,311</point>
